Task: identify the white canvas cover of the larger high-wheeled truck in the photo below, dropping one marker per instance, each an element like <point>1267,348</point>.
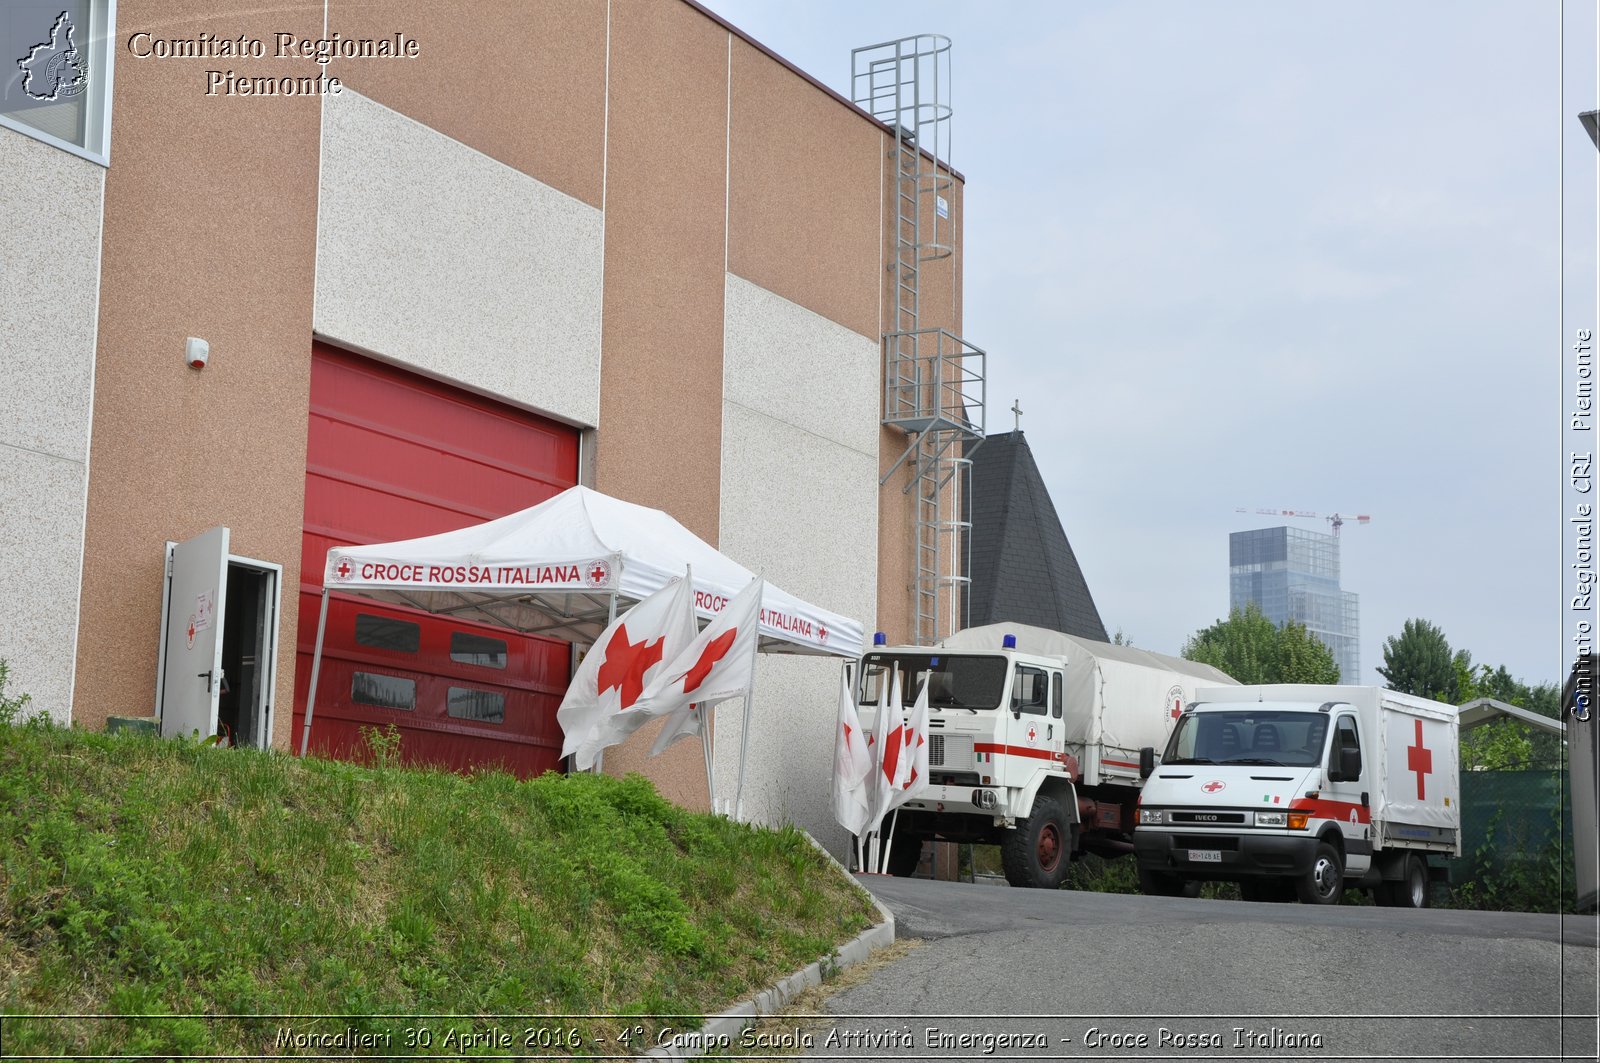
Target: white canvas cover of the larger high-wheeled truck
<point>1119,699</point>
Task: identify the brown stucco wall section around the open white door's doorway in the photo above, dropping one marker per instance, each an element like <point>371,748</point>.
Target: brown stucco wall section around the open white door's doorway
<point>210,231</point>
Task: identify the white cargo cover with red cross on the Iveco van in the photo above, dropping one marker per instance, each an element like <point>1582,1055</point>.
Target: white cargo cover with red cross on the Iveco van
<point>1417,788</point>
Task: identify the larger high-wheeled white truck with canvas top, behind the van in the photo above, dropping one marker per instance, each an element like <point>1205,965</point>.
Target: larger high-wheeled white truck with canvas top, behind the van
<point>1038,742</point>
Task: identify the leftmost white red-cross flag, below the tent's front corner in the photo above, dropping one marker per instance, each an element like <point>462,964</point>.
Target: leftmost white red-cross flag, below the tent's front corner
<point>620,665</point>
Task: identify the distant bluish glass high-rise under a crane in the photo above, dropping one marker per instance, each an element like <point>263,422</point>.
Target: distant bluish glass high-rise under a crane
<point>1295,576</point>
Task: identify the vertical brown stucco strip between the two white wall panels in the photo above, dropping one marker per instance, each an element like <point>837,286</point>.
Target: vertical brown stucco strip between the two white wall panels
<point>660,436</point>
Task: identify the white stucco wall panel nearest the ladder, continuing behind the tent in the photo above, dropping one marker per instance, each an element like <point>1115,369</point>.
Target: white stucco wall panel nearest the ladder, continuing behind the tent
<point>799,507</point>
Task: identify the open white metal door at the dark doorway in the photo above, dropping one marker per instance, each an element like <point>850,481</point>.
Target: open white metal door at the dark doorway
<point>193,678</point>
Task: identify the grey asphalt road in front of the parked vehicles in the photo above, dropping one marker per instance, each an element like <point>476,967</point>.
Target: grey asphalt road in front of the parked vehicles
<point>1025,976</point>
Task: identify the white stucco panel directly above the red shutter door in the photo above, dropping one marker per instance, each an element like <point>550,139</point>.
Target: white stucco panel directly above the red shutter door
<point>441,259</point>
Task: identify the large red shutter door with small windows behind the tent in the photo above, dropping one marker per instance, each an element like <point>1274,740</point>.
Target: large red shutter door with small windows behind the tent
<point>393,455</point>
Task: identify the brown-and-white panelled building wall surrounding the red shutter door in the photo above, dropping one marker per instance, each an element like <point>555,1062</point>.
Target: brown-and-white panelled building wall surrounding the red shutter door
<point>617,214</point>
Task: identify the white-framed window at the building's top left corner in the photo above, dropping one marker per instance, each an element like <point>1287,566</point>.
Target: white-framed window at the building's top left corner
<point>57,73</point>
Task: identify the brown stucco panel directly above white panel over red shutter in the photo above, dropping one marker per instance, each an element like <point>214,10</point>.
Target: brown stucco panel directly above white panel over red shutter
<point>519,81</point>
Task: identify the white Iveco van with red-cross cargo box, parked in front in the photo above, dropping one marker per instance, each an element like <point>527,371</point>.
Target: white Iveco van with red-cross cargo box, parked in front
<point>1303,790</point>
